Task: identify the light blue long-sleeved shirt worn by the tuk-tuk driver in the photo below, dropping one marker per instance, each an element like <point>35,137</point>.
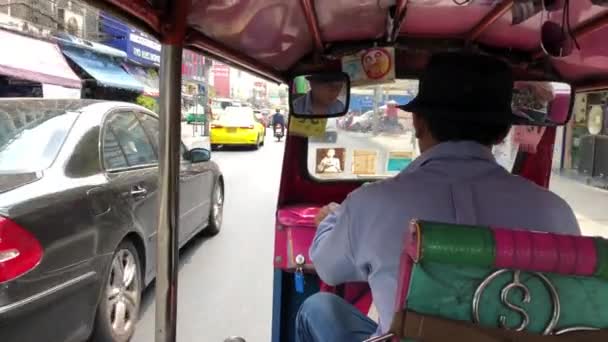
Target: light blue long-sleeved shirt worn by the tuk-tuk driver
<point>453,182</point>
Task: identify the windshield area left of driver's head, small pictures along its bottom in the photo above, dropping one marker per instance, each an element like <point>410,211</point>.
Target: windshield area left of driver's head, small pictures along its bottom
<point>373,140</point>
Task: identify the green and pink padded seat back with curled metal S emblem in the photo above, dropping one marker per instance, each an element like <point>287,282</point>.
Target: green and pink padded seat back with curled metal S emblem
<point>537,282</point>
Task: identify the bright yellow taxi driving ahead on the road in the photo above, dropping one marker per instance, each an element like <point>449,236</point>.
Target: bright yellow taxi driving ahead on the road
<point>237,126</point>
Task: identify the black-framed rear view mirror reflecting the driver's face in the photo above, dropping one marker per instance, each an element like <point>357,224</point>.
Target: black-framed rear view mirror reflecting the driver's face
<point>319,95</point>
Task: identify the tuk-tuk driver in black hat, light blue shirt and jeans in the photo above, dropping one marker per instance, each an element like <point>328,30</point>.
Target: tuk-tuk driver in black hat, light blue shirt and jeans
<point>463,108</point>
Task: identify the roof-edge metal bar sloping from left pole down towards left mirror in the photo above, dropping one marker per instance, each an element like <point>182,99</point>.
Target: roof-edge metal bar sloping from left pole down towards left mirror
<point>210,47</point>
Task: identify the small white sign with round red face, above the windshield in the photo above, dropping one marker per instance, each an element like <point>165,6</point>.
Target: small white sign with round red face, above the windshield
<point>371,66</point>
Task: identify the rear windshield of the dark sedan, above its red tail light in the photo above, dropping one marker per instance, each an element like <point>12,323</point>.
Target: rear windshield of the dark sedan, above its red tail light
<point>30,140</point>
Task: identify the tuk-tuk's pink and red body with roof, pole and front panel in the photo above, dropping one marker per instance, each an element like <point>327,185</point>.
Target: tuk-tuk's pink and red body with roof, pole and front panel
<point>551,41</point>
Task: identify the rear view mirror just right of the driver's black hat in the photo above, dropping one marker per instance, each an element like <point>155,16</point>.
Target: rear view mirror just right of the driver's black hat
<point>541,103</point>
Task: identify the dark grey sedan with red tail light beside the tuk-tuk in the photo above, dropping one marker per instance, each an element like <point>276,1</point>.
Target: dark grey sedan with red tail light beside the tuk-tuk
<point>78,216</point>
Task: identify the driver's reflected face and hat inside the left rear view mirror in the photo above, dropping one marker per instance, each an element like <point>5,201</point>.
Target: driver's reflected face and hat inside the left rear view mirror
<point>322,98</point>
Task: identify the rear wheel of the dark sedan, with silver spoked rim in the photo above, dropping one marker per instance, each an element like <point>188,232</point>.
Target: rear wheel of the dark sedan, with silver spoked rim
<point>118,310</point>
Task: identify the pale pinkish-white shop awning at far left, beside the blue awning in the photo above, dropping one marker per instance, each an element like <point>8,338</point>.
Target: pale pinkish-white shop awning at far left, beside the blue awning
<point>35,60</point>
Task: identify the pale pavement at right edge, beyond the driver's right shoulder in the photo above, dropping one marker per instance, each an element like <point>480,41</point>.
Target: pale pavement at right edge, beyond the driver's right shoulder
<point>590,204</point>
